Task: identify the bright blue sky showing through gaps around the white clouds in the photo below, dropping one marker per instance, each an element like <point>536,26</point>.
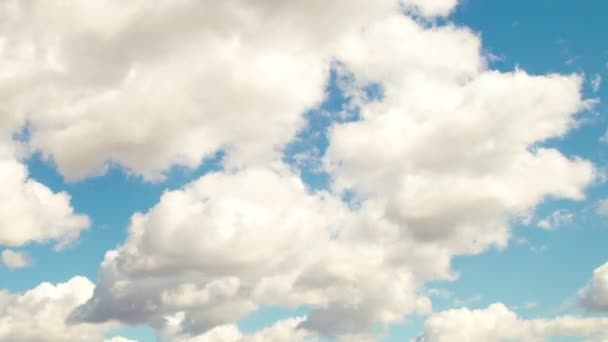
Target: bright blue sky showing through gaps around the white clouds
<point>539,273</point>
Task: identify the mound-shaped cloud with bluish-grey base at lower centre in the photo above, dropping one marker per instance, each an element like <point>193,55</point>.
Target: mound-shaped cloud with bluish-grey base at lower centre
<point>256,237</point>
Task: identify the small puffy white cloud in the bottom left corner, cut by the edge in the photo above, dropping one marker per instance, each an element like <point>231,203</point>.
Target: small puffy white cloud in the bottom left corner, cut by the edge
<point>40,313</point>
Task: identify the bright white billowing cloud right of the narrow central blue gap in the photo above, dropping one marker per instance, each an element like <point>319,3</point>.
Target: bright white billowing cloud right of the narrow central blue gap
<point>450,152</point>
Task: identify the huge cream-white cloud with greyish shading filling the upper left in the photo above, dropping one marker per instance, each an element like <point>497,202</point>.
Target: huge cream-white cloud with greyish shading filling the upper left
<point>150,85</point>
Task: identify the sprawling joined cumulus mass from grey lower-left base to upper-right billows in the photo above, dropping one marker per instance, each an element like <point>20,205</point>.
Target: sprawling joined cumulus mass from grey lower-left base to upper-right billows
<point>442,162</point>
